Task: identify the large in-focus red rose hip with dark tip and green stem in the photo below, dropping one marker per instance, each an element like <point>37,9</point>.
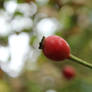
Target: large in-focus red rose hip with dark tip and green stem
<point>57,49</point>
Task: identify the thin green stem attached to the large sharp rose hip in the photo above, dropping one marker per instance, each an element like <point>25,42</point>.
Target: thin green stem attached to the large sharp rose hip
<point>80,61</point>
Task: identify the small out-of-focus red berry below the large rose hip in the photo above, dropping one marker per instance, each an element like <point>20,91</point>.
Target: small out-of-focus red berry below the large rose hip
<point>69,72</point>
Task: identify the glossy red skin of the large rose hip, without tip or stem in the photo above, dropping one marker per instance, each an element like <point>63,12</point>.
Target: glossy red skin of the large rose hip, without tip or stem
<point>56,48</point>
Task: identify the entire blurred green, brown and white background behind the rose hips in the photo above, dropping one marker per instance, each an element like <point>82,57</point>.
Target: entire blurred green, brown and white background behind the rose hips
<point>23,23</point>
